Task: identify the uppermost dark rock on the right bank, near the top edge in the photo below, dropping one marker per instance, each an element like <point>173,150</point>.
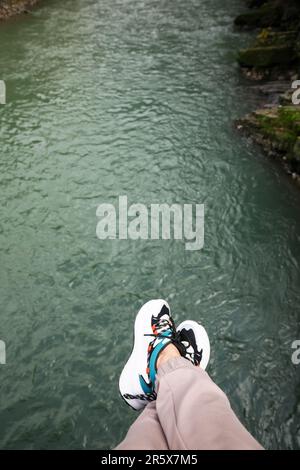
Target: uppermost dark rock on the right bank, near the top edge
<point>266,15</point>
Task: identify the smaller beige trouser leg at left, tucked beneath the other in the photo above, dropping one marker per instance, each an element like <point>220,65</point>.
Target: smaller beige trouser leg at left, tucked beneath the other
<point>145,433</point>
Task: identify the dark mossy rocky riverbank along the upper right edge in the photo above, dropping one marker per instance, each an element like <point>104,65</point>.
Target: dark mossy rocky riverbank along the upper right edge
<point>273,61</point>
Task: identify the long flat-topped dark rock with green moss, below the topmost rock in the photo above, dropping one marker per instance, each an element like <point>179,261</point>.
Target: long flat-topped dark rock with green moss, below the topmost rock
<point>270,56</point>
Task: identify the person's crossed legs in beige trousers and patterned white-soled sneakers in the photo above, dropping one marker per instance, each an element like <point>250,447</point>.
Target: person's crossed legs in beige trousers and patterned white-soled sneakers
<point>168,364</point>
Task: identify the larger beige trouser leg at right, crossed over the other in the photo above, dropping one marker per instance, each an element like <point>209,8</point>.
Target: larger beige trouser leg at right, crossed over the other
<point>193,411</point>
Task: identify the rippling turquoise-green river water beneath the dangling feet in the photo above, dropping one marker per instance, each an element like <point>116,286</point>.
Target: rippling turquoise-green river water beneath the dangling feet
<point>136,98</point>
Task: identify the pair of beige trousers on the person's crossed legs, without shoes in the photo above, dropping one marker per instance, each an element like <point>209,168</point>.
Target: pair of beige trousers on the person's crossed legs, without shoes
<point>190,413</point>
